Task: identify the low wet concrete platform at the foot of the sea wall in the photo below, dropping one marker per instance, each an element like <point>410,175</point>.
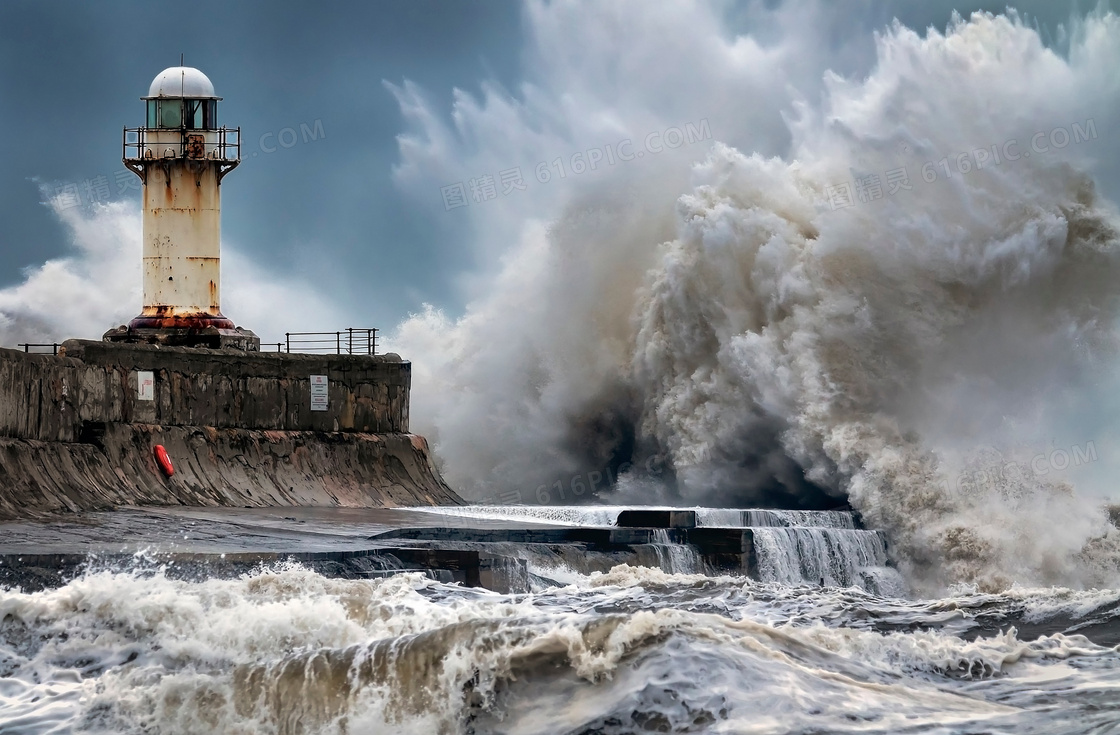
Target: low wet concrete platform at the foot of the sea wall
<point>352,543</point>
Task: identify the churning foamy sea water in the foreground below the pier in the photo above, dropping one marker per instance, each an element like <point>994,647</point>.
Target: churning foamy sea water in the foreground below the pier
<point>660,649</point>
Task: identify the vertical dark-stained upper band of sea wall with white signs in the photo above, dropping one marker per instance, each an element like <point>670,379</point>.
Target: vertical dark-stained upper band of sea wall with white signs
<point>53,398</point>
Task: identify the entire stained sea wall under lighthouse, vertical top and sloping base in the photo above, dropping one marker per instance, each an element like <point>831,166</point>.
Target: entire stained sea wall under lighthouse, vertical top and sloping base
<point>78,431</point>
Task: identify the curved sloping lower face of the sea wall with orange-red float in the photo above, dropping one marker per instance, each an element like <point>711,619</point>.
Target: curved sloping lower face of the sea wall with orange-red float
<point>214,467</point>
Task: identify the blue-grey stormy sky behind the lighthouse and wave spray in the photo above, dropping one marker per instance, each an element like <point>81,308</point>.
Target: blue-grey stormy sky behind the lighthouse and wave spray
<point>329,209</point>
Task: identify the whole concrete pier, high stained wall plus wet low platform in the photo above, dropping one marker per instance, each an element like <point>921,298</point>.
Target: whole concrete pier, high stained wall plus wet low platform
<point>281,458</point>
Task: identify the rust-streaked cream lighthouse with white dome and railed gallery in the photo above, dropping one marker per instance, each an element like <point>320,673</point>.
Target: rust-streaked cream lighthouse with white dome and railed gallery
<point>182,156</point>
